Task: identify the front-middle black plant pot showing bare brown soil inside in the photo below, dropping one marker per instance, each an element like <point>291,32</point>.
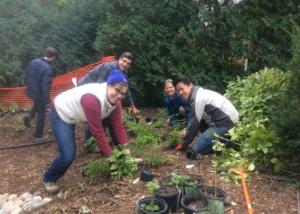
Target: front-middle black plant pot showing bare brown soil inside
<point>194,203</point>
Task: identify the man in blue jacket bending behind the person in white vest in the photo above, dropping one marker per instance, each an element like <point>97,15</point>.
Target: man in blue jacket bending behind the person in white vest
<point>100,74</point>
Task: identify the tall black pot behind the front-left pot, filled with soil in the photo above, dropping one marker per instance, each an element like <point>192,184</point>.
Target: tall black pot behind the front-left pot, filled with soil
<point>171,195</point>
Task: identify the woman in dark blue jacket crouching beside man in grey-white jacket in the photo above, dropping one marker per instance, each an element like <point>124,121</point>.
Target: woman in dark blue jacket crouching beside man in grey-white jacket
<point>178,110</point>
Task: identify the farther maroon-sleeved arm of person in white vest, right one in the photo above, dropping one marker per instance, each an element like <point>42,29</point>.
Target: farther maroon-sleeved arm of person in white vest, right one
<point>116,123</point>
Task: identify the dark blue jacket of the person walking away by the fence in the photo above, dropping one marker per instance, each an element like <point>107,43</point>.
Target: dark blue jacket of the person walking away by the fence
<point>38,79</point>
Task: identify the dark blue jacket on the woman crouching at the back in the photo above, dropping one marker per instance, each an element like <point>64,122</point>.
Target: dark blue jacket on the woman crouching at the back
<point>174,102</point>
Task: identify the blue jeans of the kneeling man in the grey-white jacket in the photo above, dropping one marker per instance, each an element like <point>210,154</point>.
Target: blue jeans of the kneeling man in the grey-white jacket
<point>204,143</point>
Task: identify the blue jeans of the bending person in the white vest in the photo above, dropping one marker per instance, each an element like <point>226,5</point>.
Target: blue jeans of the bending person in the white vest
<point>64,134</point>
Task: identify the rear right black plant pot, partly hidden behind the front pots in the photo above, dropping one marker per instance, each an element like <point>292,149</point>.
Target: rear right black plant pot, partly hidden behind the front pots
<point>214,193</point>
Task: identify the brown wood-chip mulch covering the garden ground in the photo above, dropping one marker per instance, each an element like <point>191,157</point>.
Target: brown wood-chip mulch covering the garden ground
<point>22,168</point>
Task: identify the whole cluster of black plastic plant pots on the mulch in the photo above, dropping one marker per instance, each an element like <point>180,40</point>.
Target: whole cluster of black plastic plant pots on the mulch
<point>202,199</point>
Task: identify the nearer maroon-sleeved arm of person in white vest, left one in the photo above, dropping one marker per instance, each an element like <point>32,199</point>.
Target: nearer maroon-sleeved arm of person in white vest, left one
<point>92,109</point>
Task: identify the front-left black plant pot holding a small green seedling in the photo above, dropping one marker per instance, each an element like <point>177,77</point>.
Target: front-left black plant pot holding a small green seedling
<point>144,202</point>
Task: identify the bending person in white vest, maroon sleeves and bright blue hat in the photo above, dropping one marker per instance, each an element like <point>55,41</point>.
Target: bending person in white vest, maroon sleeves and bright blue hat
<point>90,103</point>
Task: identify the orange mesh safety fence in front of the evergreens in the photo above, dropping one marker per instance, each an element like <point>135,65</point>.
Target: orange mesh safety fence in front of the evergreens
<point>16,98</point>
